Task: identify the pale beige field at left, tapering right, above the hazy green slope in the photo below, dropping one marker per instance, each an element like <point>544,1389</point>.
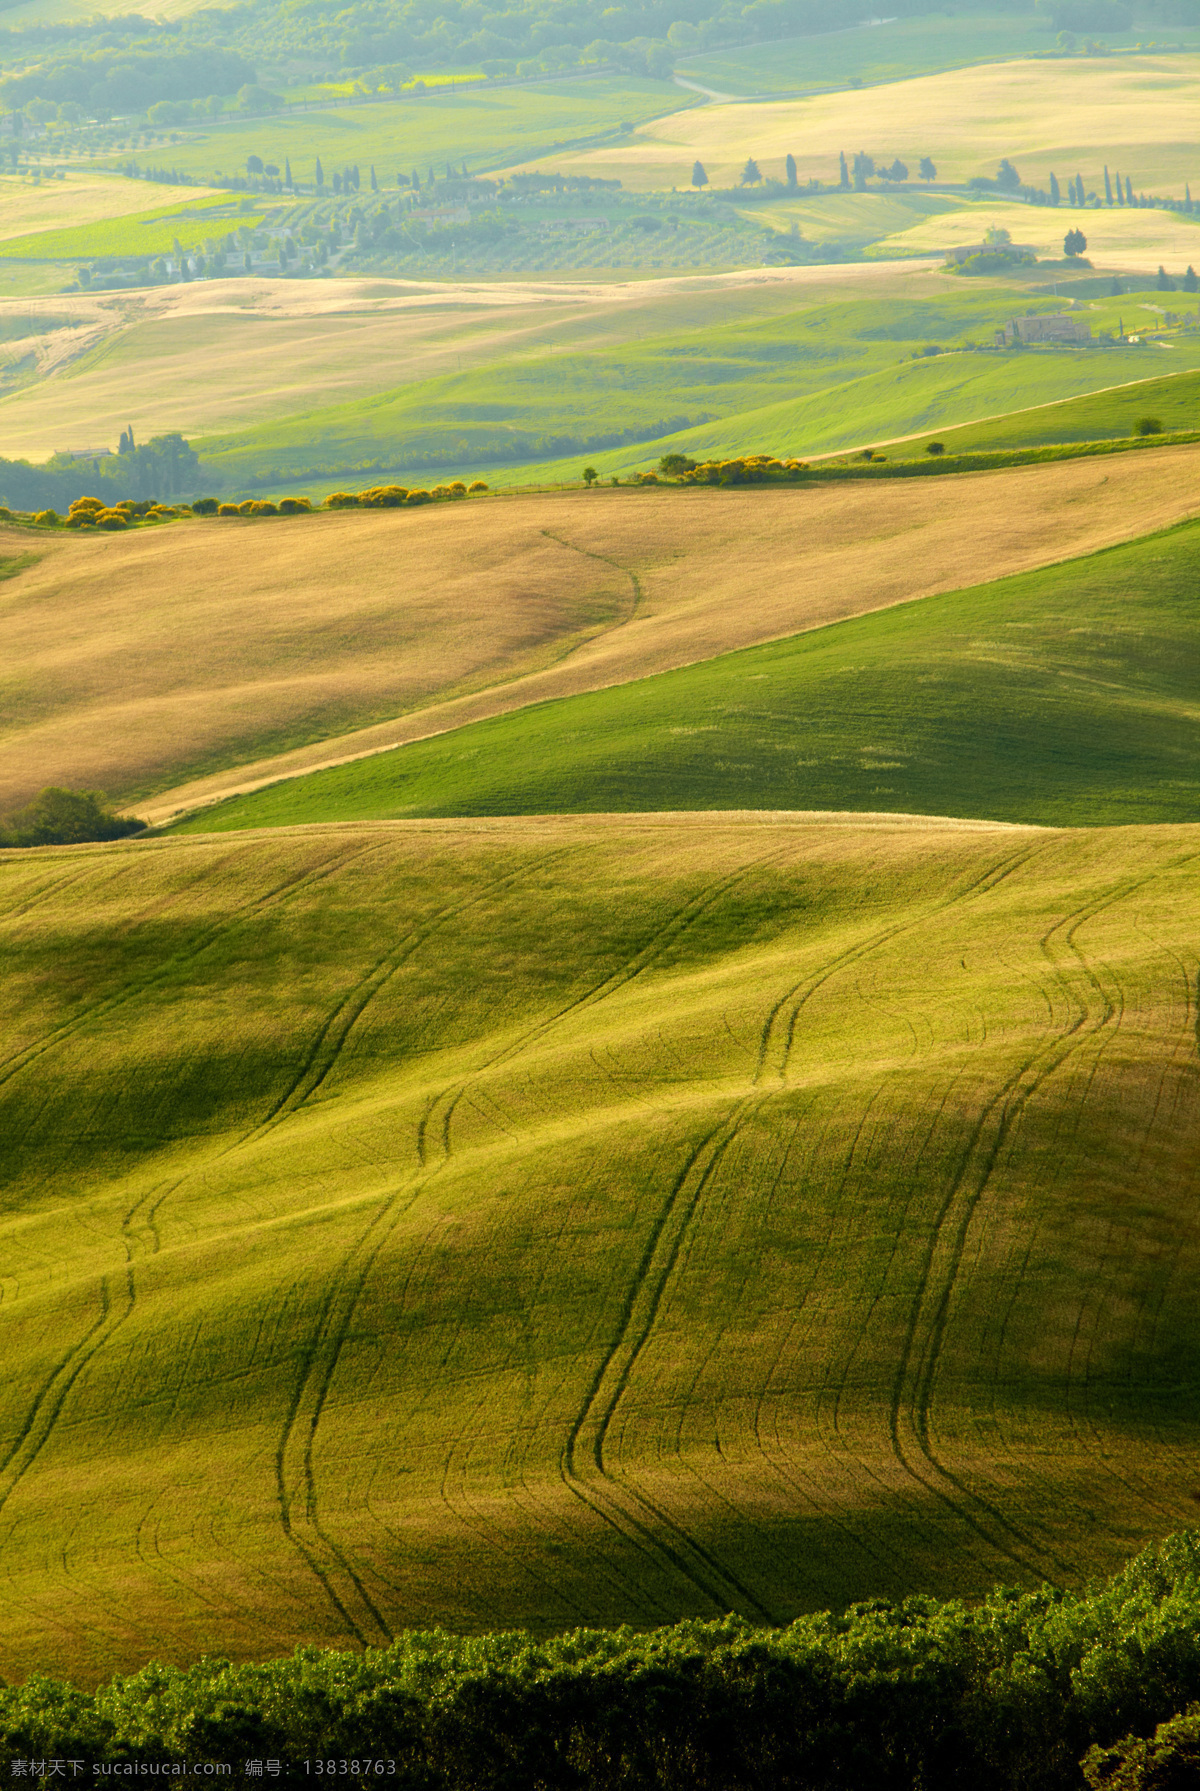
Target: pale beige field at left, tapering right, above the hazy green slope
<point>228,354</point>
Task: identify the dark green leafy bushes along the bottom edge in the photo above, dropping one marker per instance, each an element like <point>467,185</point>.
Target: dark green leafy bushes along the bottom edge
<point>1013,1693</point>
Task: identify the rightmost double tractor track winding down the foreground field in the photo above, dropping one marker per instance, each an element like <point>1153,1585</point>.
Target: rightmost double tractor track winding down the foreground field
<point>918,1367</point>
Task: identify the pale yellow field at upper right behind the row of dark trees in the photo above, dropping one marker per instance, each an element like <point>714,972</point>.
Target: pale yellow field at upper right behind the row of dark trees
<point>1136,114</point>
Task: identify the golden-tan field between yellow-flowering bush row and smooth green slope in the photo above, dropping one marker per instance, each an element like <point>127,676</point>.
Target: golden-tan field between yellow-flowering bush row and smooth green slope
<point>207,658</point>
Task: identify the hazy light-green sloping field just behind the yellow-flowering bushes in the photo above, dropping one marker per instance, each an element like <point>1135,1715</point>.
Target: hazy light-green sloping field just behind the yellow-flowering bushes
<point>823,379</point>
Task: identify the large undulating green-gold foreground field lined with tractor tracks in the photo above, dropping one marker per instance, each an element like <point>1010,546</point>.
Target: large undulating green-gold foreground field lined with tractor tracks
<point>587,1221</point>
